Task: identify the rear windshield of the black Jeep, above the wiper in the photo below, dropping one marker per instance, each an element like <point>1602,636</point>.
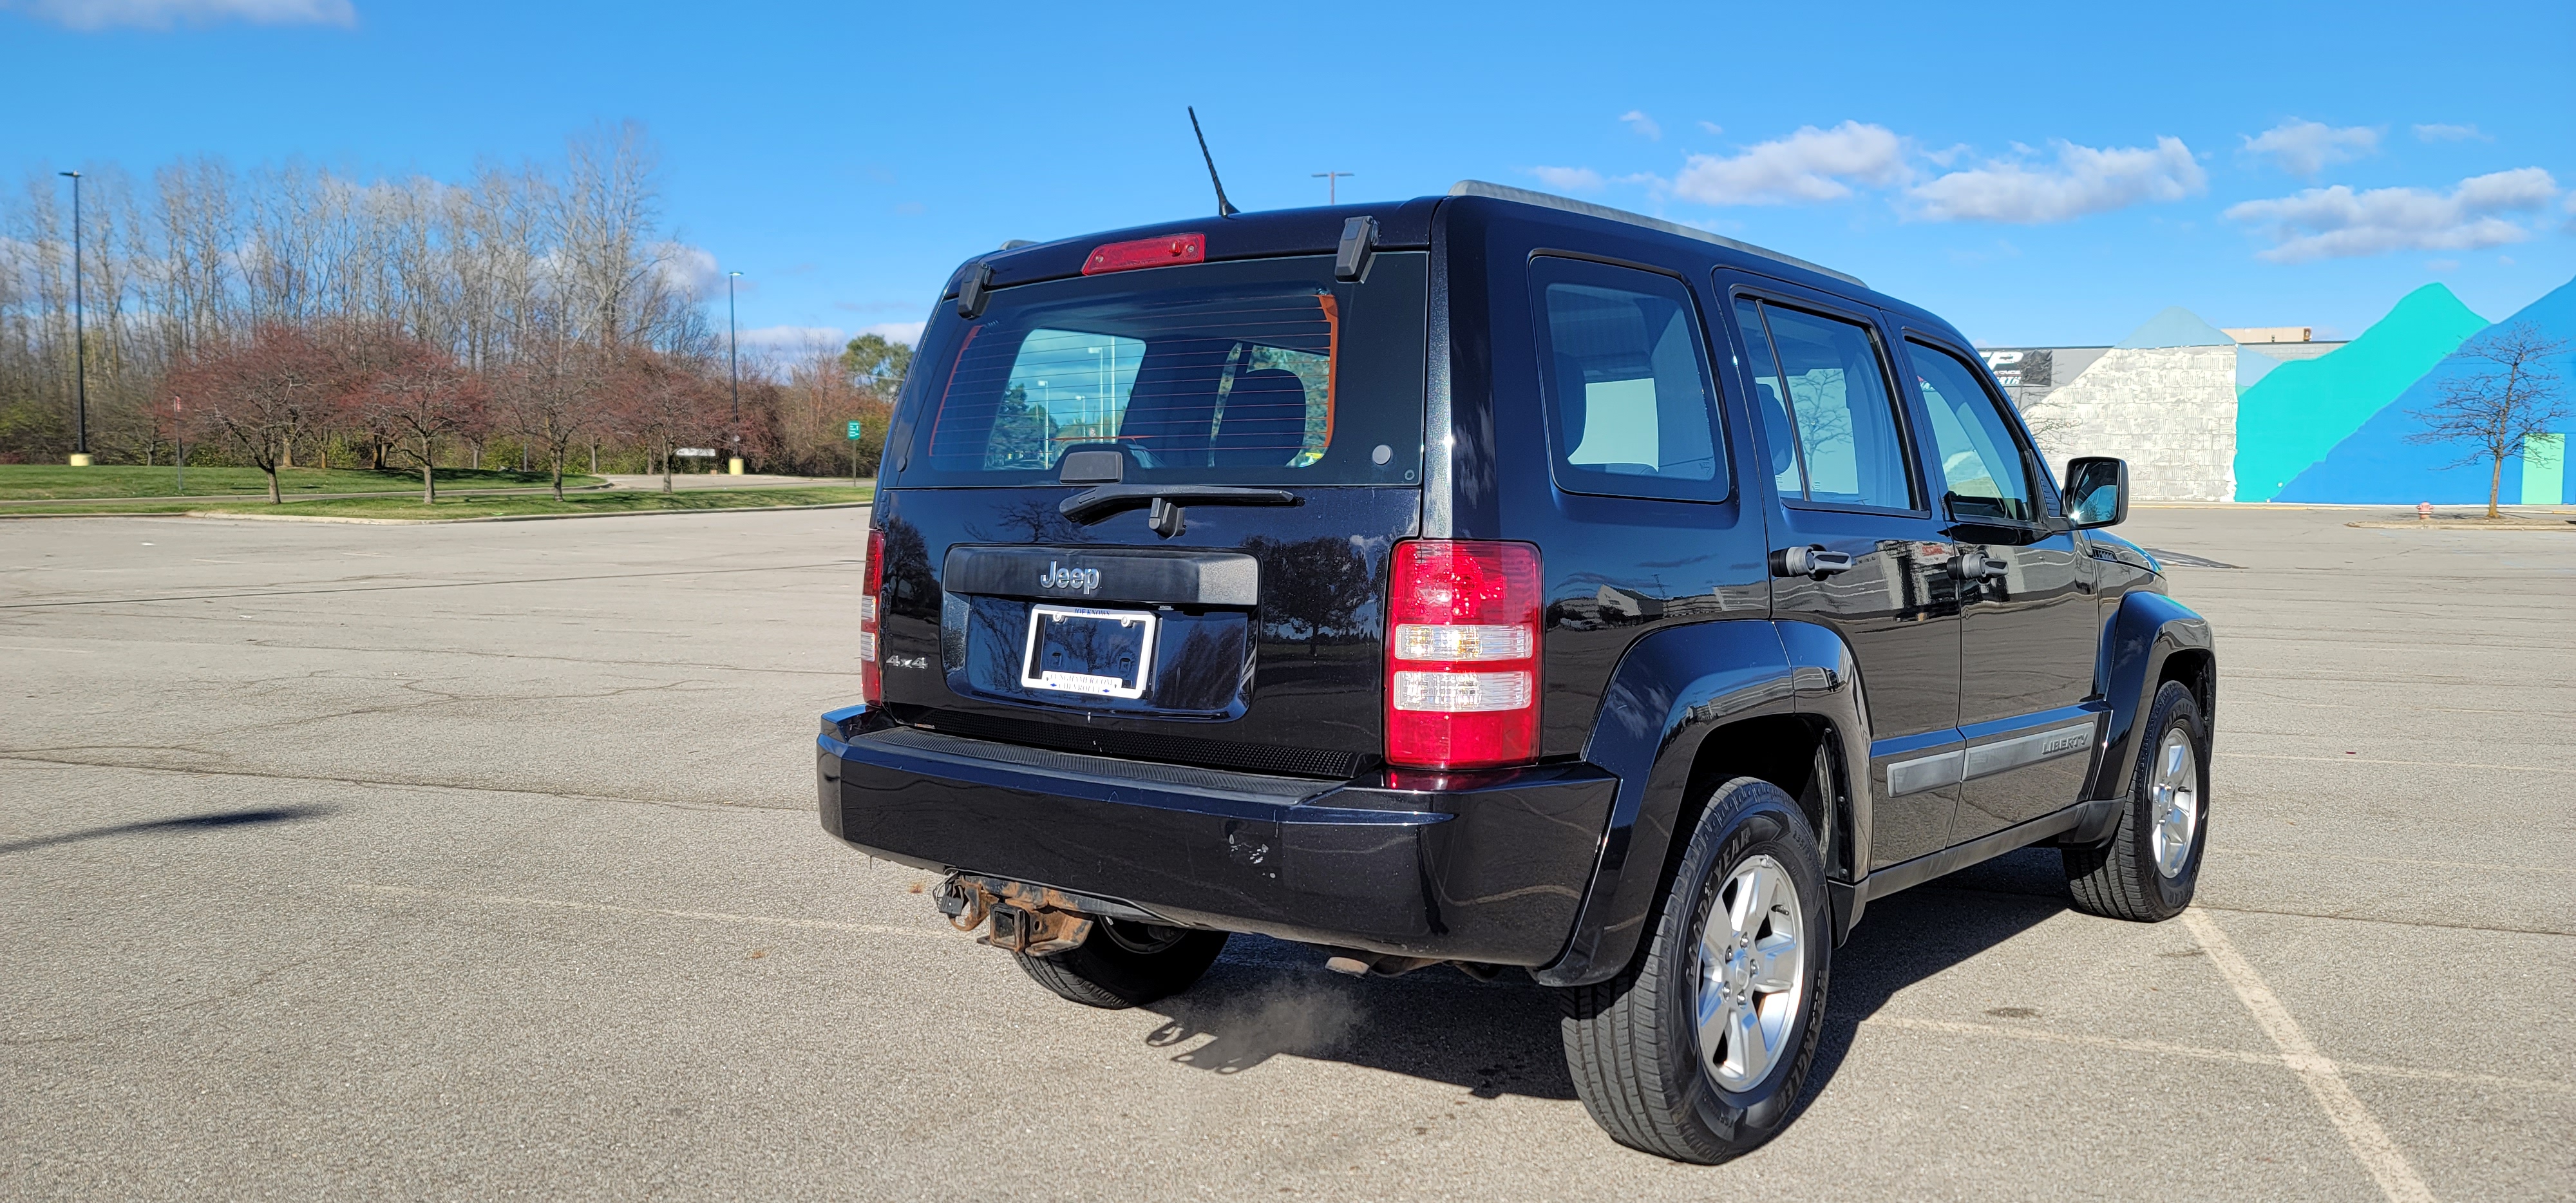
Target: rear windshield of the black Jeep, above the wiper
<point>1220,372</point>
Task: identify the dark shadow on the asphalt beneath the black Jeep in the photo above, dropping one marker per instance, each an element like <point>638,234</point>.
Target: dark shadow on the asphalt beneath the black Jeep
<point>1274,998</point>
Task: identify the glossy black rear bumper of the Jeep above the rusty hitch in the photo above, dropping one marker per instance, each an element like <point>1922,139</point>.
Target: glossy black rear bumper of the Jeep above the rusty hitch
<point>1482,867</point>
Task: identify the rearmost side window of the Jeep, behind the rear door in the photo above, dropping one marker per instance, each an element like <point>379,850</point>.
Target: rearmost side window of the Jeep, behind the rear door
<point>1629,401</point>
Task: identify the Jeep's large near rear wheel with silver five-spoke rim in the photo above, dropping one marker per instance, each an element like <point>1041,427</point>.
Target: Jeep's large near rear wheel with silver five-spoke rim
<point>1701,1047</point>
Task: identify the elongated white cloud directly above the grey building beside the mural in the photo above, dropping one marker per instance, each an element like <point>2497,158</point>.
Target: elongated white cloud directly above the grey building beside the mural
<point>2083,182</point>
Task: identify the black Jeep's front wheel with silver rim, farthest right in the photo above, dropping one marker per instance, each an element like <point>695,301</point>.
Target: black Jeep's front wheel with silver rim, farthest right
<point>2150,867</point>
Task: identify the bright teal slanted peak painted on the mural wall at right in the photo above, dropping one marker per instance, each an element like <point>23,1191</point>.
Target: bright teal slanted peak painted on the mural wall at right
<point>2302,411</point>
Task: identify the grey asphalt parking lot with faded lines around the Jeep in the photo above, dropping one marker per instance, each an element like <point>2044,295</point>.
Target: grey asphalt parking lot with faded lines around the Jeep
<point>480,862</point>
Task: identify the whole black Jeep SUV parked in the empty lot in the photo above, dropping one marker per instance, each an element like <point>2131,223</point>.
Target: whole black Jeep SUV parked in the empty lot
<point>1508,583</point>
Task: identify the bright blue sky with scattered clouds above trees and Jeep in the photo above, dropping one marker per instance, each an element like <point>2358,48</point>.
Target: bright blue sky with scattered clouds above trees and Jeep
<point>2039,174</point>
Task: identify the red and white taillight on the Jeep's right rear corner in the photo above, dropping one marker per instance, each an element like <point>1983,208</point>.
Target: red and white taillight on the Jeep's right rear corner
<point>1462,656</point>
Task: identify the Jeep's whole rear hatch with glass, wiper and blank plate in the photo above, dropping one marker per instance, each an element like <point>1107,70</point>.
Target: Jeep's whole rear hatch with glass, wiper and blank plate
<point>1148,514</point>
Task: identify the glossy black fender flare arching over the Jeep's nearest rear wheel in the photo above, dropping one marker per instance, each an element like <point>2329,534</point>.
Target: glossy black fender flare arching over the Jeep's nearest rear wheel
<point>1668,694</point>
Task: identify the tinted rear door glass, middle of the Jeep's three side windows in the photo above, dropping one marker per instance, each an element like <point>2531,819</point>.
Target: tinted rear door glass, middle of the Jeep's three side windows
<point>1841,411</point>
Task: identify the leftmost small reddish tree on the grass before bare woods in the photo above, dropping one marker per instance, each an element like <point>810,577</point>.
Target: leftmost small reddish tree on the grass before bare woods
<point>256,395</point>
